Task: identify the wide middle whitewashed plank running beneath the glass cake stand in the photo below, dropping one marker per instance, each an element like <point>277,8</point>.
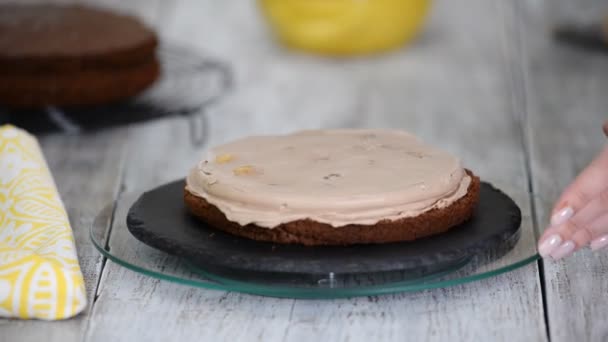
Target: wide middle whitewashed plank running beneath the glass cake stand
<point>453,88</point>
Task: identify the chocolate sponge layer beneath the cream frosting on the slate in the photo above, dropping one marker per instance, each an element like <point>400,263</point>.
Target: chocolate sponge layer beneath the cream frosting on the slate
<point>311,233</point>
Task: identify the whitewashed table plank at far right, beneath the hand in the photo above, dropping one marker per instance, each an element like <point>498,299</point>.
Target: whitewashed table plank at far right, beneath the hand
<point>566,108</point>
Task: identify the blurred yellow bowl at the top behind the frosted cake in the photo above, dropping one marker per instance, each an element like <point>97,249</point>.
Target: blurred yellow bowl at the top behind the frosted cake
<point>345,27</point>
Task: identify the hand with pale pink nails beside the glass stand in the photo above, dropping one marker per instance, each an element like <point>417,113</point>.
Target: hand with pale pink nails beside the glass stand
<point>580,216</point>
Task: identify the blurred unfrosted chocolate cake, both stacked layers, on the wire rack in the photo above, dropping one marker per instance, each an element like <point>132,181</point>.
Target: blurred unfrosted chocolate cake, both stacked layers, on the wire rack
<point>71,55</point>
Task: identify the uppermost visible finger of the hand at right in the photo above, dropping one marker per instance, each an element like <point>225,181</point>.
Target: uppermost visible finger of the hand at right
<point>586,186</point>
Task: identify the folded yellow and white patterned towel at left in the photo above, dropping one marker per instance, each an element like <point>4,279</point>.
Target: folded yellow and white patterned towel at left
<point>39,272</point>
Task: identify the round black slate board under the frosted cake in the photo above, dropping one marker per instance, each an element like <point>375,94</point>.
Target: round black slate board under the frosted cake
<point>160,219</point>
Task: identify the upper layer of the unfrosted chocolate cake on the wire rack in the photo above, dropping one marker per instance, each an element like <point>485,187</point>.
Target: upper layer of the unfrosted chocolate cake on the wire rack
<point>57,38</point>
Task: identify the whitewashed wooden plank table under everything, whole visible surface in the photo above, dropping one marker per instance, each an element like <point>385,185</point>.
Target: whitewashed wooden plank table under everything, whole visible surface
<point>485,82</point>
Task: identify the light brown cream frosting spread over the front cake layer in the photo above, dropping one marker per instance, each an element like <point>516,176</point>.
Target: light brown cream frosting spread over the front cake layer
<point>338,177</point>
